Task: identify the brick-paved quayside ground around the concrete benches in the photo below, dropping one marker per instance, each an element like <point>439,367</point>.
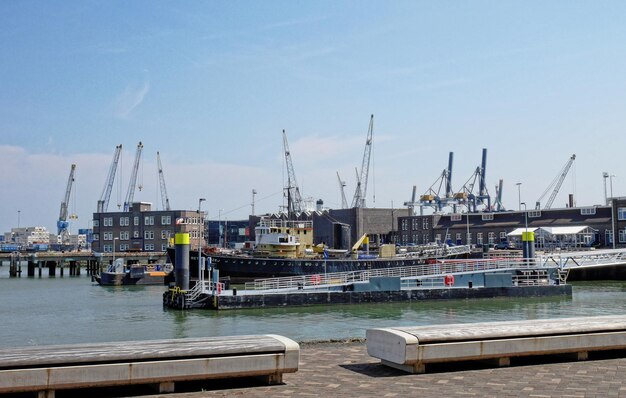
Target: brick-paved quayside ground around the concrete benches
<point>345,370</point>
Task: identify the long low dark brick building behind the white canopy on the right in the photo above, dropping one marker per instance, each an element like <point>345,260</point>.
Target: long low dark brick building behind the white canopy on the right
<point>592,226</point>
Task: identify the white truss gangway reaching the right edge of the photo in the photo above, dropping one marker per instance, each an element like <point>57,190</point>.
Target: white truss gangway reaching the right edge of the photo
<point>583,259</point>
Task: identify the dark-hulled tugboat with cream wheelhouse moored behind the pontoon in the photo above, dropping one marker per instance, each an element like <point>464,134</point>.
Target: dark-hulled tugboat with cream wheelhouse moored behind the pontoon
<point>285,248</point>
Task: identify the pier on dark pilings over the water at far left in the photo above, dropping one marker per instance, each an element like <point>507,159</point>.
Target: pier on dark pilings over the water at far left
<point>52,264</point>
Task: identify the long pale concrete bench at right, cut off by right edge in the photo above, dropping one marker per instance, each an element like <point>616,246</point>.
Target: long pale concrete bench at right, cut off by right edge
<point>411,348</point>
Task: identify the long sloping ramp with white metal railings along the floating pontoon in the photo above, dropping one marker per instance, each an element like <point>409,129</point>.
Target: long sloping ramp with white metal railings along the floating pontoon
<point>437,270</point>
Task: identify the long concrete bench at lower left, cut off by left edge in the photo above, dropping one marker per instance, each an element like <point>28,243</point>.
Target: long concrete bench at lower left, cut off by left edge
<point>44,369</point>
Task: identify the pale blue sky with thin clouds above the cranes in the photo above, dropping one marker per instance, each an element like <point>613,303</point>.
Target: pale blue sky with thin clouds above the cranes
<point>212,84</point>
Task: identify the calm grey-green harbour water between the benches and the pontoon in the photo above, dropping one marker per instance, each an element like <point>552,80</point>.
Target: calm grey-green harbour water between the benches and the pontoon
<point>39,311</point>
